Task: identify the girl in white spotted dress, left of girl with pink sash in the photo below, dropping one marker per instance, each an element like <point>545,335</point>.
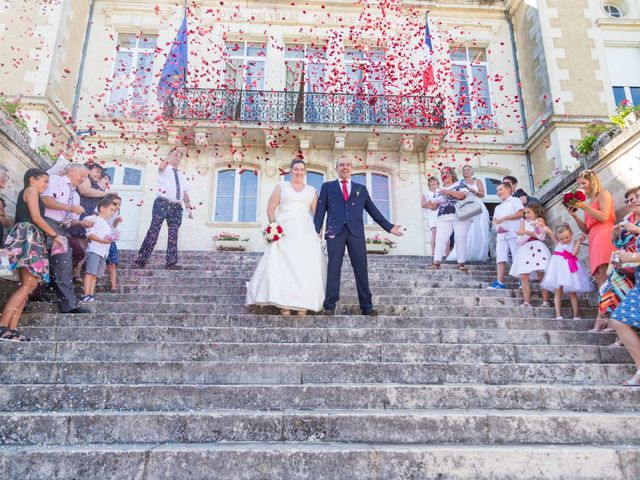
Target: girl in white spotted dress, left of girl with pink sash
<point>533,255</point>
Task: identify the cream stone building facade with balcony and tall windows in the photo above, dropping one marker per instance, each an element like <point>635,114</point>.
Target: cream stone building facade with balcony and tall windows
<point>541,70</point>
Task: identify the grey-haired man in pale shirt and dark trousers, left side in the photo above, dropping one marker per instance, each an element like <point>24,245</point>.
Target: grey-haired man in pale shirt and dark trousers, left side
<point>63,210</point>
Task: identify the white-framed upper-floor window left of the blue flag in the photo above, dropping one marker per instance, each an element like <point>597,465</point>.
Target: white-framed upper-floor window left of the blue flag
<point>128,106</point>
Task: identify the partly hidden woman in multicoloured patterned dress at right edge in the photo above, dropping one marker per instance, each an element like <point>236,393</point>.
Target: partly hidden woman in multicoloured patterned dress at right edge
<point>623,236</point>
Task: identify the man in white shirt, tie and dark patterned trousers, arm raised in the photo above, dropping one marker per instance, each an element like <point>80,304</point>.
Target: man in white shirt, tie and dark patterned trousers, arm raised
<point>173,188</point>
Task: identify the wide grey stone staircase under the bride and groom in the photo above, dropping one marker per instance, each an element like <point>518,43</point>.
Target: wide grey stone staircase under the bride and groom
<point>173,377</point>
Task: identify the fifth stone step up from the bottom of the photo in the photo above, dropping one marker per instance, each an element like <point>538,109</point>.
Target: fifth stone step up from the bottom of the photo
<point>309,352</point>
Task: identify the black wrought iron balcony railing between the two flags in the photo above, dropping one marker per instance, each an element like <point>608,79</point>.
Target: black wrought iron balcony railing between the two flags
<point>305,108</point>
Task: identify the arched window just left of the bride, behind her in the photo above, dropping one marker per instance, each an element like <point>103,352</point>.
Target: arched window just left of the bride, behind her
<point>236,196</point>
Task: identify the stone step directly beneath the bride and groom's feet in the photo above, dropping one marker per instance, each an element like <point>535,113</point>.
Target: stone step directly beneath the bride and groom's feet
<point>241,320</point>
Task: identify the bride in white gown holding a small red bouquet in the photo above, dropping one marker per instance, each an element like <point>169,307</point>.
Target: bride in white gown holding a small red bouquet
<point>292,272</point>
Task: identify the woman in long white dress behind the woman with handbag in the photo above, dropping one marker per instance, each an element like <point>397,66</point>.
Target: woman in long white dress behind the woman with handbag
<point>478,237</point>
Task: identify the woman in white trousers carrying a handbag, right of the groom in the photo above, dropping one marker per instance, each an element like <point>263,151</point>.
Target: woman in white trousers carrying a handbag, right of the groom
<point>447,223</point>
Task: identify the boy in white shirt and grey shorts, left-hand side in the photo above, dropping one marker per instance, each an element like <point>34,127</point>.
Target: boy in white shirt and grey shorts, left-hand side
<point>99,242</point>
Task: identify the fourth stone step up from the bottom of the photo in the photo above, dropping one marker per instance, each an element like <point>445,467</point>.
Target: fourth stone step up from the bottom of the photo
<point>247,372</point>
